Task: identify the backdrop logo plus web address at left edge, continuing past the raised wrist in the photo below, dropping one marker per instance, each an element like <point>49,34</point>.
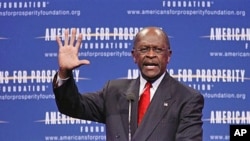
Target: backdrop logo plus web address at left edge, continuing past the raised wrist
<point>24,81</point>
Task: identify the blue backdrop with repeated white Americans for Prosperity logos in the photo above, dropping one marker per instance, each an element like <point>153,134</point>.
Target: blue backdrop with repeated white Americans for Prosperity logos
<point>210,42</point>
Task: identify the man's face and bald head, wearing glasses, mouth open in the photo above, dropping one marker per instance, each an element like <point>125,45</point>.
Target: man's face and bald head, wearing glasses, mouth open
<point>151,53</point>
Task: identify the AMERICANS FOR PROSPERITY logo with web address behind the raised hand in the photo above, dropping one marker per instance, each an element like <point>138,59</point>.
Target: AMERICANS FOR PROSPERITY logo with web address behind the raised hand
<point>98,41</point>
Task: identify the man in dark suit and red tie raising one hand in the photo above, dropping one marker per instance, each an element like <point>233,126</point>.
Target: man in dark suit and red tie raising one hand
<point>174,113</point>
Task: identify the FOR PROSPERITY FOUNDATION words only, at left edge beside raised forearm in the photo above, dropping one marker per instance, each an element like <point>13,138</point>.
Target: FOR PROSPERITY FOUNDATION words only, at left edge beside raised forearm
<point>25,81</point>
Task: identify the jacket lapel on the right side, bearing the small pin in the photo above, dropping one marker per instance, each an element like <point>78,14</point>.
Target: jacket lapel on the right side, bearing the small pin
<point>157,108</point>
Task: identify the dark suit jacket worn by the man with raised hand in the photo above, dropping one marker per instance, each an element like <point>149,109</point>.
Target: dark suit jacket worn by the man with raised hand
<point>174,114</point>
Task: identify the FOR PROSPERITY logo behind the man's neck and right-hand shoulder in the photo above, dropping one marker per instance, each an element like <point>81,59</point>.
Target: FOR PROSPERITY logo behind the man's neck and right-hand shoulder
<point>201,79</point>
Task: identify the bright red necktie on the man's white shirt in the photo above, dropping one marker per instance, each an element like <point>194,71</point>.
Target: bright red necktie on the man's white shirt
<point>144,102</point>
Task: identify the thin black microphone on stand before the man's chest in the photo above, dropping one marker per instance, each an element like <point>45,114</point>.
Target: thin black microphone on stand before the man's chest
<point>130,97</point>
